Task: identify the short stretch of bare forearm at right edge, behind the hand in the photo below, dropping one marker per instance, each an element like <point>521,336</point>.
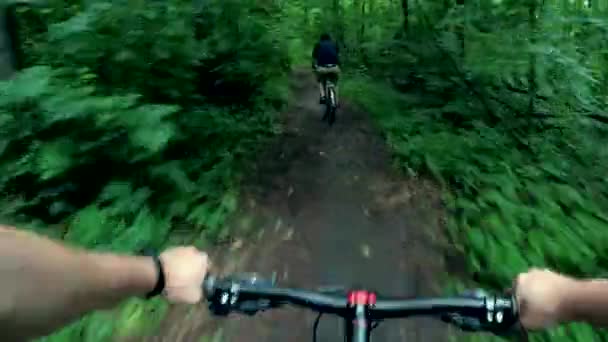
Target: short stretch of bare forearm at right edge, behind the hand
<point>587,302</point>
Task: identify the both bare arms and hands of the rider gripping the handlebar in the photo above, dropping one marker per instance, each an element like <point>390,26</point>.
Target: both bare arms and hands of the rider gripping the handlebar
<point>45,285</point>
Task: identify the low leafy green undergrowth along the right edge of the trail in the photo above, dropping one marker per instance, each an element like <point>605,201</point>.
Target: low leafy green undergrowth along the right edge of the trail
<point>510,208</point>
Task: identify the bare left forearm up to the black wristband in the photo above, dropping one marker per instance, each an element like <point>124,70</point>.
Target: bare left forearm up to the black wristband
<point>44,285</point>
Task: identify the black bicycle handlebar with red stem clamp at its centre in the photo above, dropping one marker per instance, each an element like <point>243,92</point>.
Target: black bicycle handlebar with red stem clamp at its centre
<point>250,294</point>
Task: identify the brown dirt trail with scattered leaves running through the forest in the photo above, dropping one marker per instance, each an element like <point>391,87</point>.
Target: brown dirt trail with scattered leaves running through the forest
<point>324,208</point>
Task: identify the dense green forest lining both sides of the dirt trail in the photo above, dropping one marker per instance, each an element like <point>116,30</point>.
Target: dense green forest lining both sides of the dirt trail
<point>129,123</point>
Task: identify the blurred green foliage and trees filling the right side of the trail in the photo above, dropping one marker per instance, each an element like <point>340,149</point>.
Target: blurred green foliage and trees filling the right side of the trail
<point>514,134</point>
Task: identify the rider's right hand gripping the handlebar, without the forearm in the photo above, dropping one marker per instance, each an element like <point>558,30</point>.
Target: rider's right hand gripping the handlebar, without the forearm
<point>541,294</point>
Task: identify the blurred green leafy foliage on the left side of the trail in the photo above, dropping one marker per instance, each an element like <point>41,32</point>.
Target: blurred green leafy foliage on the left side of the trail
<point>131,125</point>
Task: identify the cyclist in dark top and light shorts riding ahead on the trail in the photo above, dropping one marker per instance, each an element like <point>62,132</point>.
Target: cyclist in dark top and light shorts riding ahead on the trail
<point>326,64</point>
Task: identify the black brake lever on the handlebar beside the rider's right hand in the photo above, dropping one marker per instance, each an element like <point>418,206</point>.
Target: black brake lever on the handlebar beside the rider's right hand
<point>506,325</point>
